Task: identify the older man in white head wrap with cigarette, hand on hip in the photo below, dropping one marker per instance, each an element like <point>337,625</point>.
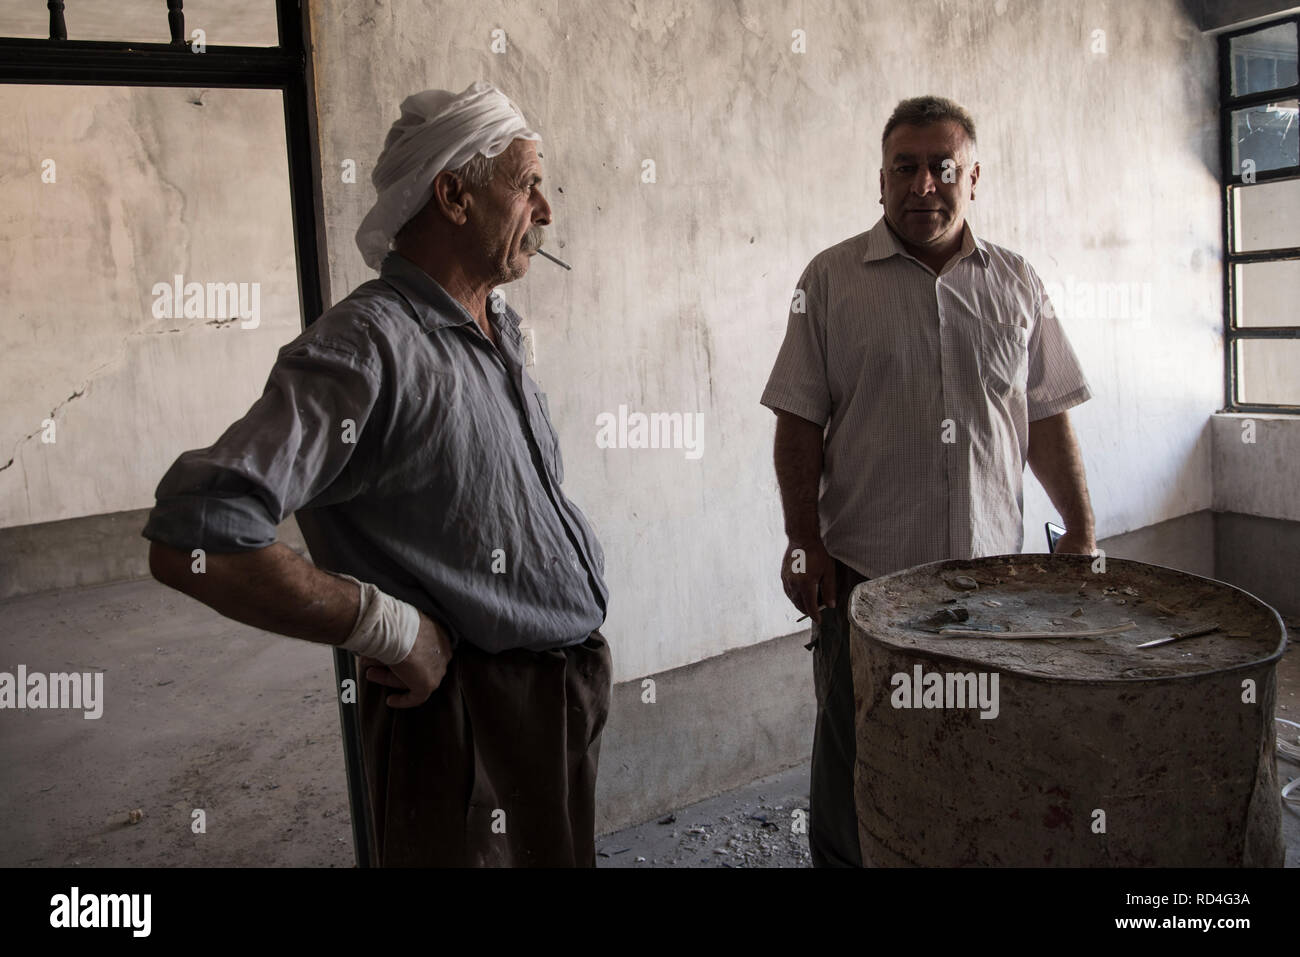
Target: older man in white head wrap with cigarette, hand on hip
<point>419,458</point>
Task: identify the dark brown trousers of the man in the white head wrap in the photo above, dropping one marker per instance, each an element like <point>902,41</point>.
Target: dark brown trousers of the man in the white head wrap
<point>497,769</point>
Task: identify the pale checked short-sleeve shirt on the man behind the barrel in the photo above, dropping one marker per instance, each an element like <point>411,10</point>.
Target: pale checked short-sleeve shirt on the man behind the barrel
<point>926,387</point>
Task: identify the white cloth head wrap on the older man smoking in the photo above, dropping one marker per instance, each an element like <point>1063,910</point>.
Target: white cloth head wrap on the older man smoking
<point>437,131</point>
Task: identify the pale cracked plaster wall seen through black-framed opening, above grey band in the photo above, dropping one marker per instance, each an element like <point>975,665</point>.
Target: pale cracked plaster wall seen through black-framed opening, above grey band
<point>150,183</point>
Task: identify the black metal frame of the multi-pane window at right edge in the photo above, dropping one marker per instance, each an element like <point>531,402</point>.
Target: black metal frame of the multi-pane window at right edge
<point>1232,181</point>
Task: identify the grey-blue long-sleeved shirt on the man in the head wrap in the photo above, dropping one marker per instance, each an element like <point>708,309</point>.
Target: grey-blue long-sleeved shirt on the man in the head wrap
<point>417,457</point>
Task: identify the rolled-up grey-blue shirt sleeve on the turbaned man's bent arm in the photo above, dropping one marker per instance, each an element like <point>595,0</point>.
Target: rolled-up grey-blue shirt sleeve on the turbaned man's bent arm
<point>296,441</point>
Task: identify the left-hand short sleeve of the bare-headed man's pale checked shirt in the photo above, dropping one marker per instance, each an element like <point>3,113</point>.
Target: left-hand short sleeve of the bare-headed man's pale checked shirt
<point>799,383</point>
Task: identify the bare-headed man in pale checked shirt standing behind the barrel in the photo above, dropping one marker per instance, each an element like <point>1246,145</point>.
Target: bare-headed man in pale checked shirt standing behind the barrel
<point>921,370</point>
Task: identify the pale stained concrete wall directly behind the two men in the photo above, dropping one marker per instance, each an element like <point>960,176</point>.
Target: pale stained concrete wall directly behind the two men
<point>1099,163</point>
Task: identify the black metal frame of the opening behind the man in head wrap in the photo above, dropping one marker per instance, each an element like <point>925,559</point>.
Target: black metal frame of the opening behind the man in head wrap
<point>287,68</point>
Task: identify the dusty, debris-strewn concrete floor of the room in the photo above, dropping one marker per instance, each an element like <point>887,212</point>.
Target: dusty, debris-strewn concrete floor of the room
<point>206,714</point>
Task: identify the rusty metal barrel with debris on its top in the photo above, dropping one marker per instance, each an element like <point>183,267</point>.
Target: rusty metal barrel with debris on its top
<point>981,747</point>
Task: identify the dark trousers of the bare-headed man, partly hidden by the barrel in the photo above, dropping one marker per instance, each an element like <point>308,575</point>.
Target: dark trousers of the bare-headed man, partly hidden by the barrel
<point>834,811</point>
